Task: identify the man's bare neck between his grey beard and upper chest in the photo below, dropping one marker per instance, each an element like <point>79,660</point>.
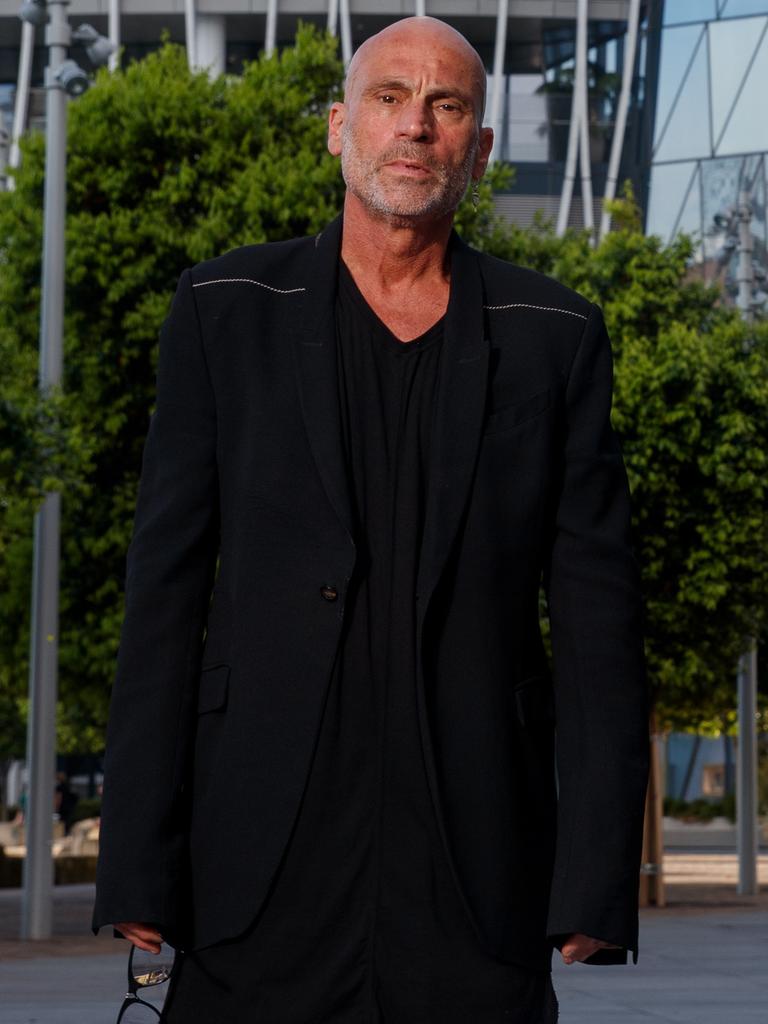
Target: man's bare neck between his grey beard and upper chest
<point>392,254</point>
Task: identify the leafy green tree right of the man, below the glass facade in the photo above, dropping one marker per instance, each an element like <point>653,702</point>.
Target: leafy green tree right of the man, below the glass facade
<point>692,409</point>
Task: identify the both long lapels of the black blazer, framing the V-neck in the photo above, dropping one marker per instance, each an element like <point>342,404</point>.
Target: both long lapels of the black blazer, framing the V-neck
<point>460,399</point>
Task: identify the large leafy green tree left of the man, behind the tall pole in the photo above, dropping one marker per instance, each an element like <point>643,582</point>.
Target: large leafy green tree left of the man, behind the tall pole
<point>165,168</point>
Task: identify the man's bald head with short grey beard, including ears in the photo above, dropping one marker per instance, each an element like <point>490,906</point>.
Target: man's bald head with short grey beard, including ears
<point>408,132</point>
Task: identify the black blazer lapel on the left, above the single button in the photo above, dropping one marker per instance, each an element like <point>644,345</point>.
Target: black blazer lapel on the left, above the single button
<point>316,362</point>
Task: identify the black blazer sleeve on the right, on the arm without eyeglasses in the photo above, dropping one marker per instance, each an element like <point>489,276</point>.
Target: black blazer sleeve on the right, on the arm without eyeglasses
<point>602,702</point>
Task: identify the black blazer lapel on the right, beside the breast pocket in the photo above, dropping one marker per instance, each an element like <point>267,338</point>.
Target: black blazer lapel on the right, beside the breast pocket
<point>462,388</point>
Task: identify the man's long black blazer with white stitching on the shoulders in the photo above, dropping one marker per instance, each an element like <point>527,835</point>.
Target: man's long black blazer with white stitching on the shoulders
<point>222,675</point>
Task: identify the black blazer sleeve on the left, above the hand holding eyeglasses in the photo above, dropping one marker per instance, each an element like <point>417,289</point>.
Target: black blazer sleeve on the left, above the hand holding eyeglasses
<point>170,566</point>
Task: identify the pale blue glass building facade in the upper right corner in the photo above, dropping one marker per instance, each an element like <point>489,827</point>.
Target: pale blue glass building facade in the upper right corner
<point>711,133</point>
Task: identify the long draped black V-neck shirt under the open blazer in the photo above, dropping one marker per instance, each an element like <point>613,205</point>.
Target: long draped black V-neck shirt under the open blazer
<point>364,923</point>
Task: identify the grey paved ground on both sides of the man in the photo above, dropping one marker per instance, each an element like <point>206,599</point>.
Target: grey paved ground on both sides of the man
<point>703,960</point>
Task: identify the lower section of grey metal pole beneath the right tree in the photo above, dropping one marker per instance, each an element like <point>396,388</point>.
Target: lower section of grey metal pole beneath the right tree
<point>747,810</point>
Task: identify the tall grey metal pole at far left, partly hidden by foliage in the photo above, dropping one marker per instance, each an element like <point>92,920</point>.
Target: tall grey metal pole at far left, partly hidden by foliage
<point>41,734</point>
